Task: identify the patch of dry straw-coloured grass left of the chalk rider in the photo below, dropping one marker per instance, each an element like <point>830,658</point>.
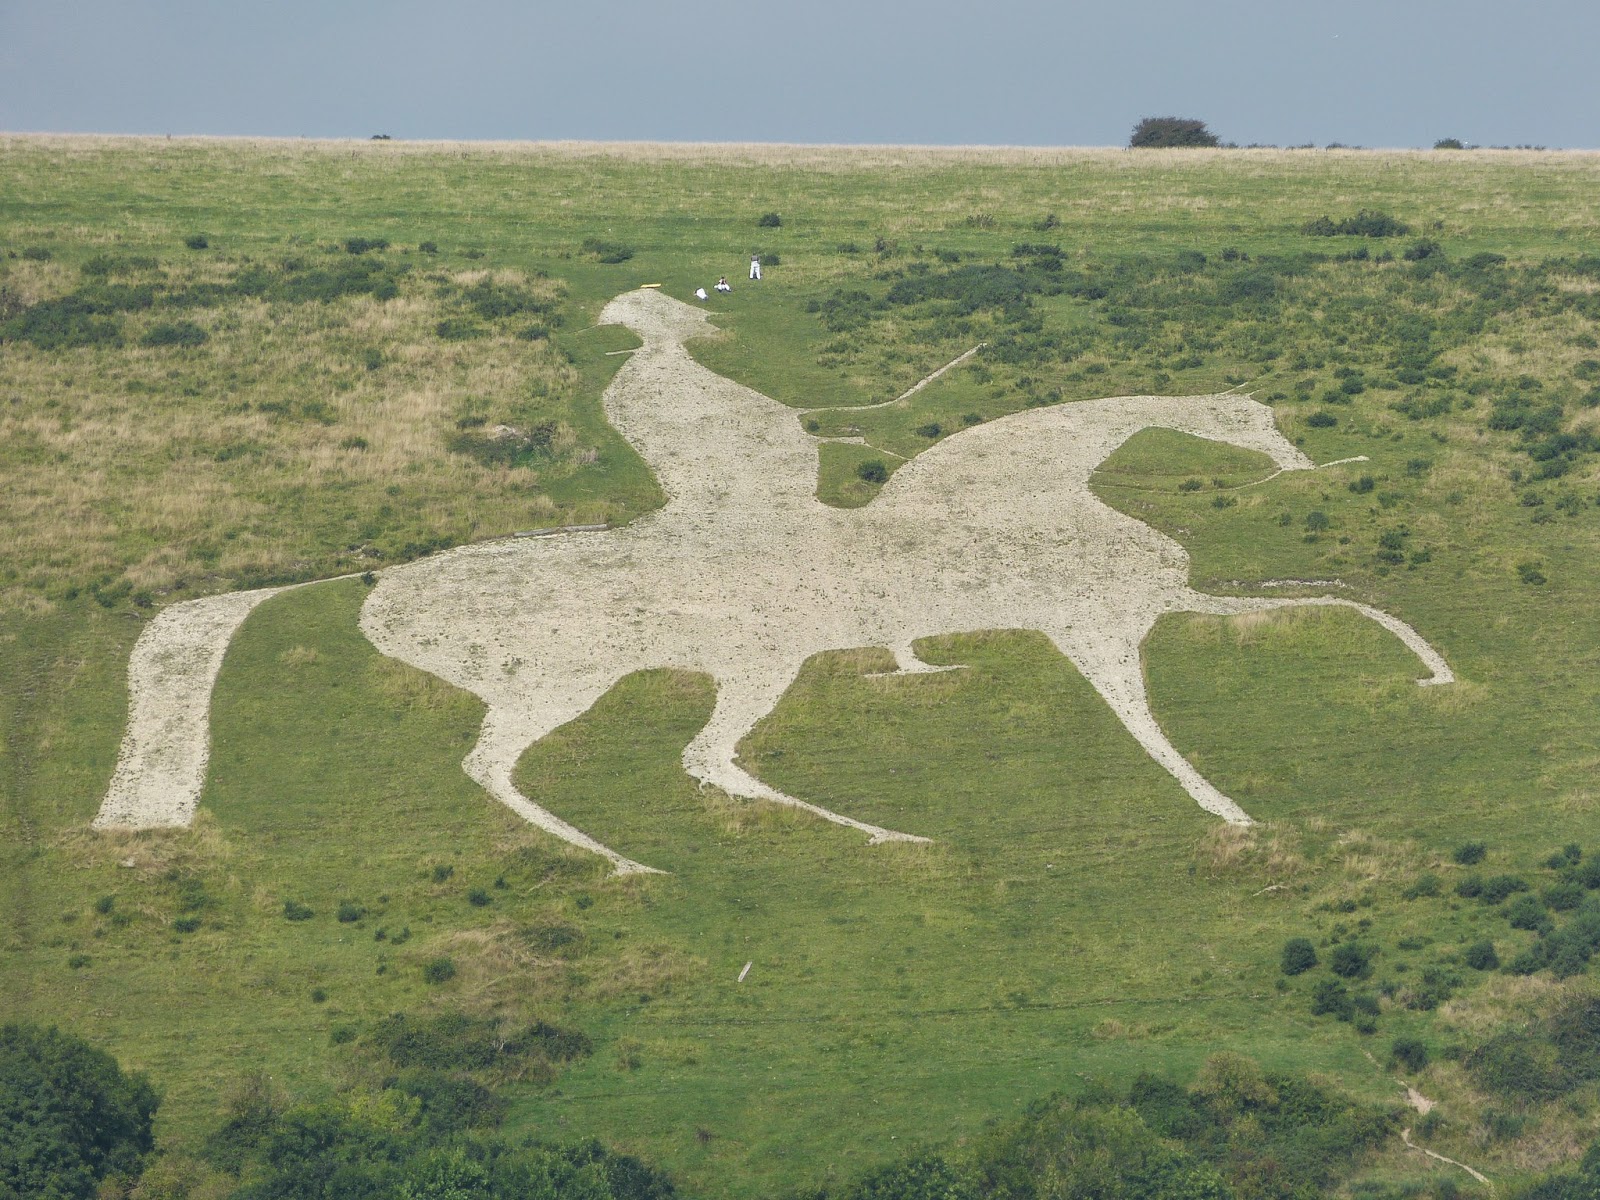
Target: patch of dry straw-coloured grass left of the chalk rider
<point>159,465</point>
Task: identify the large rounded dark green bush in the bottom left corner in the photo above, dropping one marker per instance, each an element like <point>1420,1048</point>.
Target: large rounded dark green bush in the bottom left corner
<point>70,1118</point>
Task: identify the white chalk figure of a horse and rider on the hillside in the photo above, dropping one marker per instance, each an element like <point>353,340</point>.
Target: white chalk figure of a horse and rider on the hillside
<point>743,574</point>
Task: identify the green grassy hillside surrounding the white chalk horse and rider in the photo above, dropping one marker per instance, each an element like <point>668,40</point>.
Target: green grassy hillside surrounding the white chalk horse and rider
<point>294,401</point>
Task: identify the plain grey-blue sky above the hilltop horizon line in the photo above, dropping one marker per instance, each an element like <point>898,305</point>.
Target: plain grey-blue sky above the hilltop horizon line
<point>1370,73</point>
